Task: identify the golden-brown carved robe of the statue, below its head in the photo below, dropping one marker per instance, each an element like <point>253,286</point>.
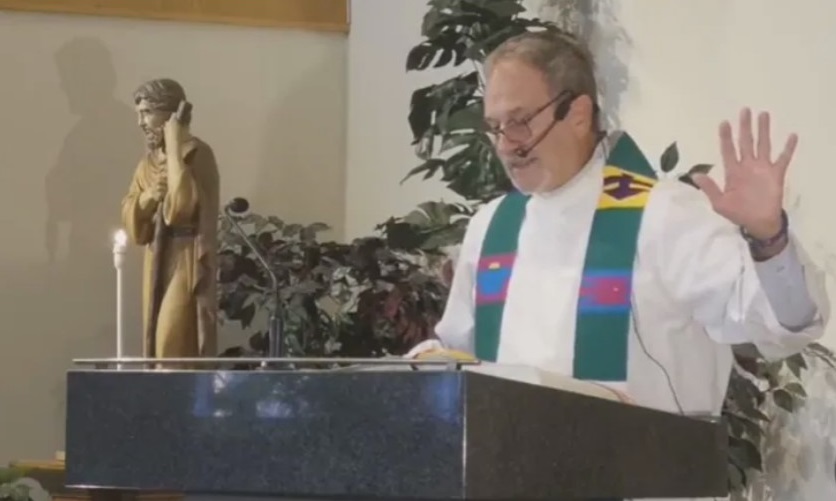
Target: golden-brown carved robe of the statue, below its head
<point>180,261</point>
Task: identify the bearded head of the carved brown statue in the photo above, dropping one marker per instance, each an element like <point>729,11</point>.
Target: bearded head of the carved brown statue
<point>155,101</point>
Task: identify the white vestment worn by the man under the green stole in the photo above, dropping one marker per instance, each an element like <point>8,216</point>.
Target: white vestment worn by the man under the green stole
<point>696,291</point>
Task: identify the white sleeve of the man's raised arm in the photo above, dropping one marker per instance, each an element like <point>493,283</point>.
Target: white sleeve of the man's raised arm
<point>706,266</point>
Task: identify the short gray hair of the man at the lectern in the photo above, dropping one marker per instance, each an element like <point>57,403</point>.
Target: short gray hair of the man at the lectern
<point>563,59</point>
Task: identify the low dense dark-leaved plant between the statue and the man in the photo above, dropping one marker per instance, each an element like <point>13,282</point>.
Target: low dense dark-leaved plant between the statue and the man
<point>359,299</point>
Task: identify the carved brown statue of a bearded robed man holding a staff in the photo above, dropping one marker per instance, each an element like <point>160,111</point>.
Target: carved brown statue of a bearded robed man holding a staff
<point>172,209</point>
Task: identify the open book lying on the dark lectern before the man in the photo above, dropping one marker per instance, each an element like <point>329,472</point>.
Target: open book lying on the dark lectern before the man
<point>530,375</point>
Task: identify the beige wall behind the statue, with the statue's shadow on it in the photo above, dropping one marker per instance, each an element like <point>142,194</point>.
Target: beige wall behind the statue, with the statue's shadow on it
<point>272,104</point>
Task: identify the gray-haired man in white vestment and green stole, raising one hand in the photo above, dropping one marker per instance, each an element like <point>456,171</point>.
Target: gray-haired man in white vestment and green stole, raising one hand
<point>597,270</point>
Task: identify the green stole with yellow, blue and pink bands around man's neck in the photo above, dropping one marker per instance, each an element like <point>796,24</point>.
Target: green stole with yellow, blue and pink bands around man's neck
<point>604,301</point>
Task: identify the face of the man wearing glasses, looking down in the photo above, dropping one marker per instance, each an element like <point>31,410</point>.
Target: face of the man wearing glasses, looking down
<point>517,102</point>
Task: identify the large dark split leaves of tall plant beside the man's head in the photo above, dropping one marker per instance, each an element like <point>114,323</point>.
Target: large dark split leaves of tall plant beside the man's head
<point>446,118</point>
